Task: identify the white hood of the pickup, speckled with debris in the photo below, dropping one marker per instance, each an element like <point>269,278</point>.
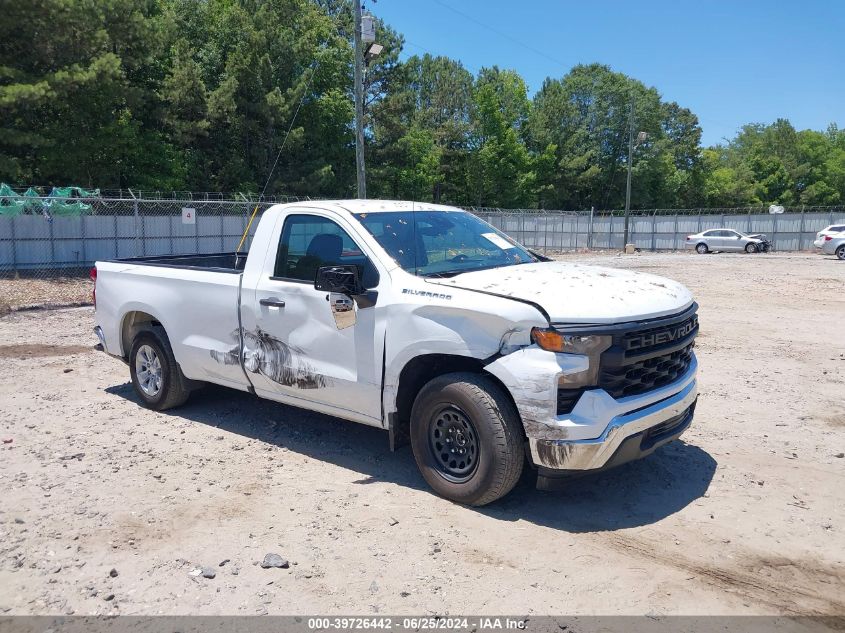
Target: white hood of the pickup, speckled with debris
<point>578,293</point>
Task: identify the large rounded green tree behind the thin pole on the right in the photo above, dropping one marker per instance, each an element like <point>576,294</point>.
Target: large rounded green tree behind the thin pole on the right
<point>585,117</point>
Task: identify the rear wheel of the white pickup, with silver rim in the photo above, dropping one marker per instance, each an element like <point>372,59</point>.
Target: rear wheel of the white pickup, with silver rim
<point>151,354</point>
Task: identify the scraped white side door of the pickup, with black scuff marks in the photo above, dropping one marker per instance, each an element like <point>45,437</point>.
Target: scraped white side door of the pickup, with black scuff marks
<point>308,347</point>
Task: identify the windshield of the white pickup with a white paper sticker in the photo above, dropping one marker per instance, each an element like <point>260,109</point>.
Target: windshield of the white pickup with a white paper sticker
<point>442,243</point>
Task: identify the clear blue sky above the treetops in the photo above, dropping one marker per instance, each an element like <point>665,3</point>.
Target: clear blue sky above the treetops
<point>730,62</point>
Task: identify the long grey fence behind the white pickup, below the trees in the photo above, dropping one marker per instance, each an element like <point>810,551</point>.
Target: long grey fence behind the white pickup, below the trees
<point>41,241</point>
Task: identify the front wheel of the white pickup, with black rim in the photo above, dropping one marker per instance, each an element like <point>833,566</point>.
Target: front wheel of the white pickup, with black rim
<point>468,411</point>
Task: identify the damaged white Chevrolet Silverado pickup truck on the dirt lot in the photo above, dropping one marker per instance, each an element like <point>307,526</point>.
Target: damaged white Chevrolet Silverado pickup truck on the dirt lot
<point>425,321</point>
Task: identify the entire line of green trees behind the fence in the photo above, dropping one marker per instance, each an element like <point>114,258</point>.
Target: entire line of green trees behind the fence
<point>201,94</point>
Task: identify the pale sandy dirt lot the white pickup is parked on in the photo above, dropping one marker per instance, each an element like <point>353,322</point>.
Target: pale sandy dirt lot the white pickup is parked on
<point>745,516</point>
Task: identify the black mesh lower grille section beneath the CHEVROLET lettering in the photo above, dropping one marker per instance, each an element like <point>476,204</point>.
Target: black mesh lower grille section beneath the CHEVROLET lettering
<point>643,376</point>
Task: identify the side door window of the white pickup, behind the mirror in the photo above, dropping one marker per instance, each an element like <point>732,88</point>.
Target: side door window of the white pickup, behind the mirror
<point>309,242</point>
